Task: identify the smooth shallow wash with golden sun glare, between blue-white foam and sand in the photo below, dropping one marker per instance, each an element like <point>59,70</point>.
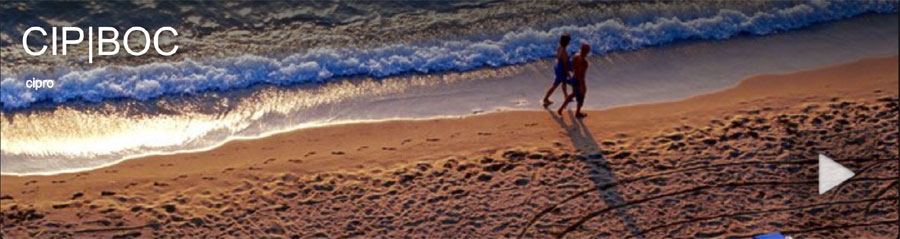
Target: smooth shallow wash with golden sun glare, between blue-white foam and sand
<point>52,142</point>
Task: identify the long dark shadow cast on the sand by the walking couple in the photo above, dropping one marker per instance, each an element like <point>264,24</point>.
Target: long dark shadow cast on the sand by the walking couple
<point>599,169</point>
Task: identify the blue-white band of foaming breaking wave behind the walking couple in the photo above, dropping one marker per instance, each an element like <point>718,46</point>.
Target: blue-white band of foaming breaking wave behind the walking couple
<point>149,81</point>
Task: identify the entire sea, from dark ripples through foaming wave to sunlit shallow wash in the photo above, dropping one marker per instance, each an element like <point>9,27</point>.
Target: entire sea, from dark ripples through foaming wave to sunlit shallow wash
<point>122,108</point>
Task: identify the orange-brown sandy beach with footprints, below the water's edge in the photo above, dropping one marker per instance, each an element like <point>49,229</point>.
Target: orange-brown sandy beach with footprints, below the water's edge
<point>730,164</point>
